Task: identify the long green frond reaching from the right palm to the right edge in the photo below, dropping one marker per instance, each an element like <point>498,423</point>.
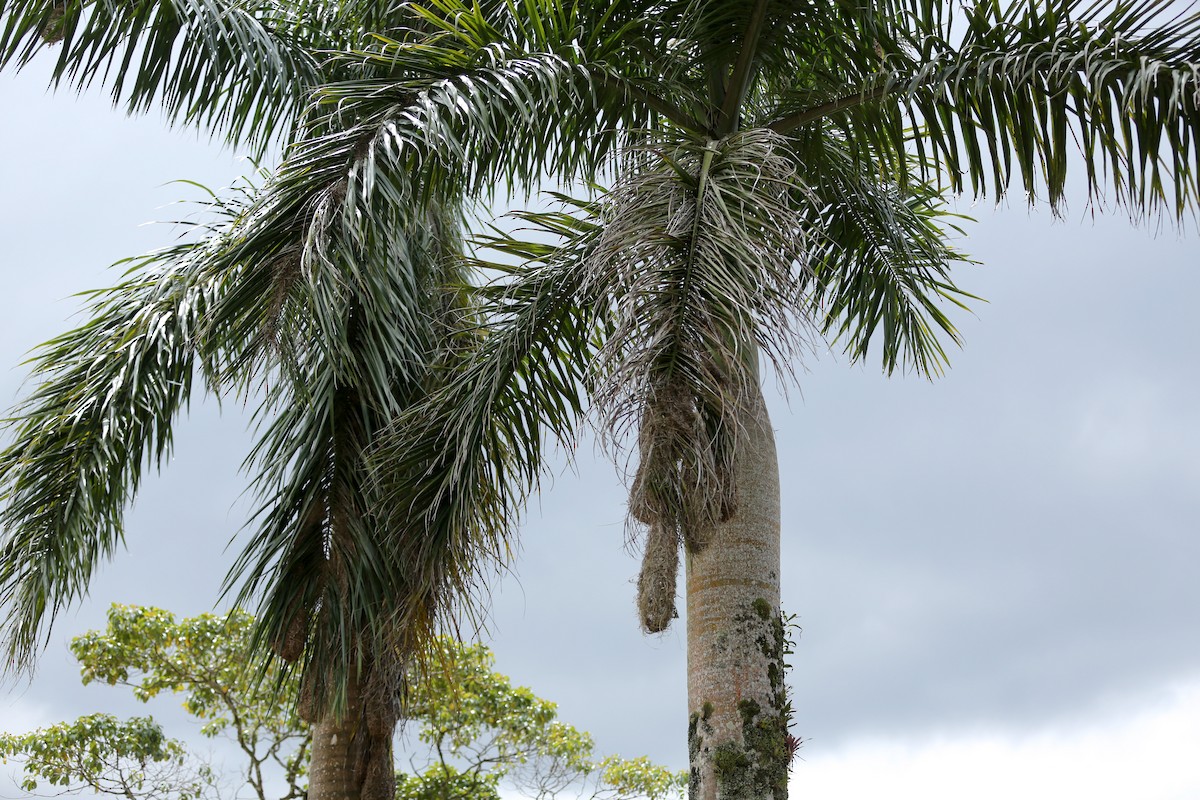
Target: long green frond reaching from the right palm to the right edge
<point>1004,93</point>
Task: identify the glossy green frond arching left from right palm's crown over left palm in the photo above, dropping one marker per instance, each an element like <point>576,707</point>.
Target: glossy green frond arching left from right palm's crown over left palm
<point>478,106</point>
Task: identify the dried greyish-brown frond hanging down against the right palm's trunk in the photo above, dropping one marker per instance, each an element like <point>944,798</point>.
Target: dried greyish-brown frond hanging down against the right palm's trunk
<point>704,260</point>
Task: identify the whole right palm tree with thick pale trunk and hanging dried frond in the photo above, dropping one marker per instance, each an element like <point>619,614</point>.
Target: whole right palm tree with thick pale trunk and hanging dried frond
<point>776,176</point>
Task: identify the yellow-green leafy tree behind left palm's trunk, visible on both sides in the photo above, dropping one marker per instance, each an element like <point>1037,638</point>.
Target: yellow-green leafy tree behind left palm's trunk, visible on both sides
<point>477,732</point>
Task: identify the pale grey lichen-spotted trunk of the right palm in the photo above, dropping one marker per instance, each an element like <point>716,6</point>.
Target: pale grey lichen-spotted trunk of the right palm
<point>739,707</point>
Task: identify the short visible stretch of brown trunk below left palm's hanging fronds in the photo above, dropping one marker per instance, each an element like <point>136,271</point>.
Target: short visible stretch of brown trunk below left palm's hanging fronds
<point>352,755</point>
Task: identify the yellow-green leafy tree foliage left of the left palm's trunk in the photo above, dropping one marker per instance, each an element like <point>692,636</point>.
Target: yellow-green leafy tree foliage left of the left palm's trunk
<point>201,658</point>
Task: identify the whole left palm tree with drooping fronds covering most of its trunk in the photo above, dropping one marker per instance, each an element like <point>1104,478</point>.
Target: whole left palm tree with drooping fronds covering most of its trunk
<point>333,328</point>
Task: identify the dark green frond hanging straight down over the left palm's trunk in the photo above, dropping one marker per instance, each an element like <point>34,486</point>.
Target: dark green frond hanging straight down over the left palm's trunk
<point>320,566</point>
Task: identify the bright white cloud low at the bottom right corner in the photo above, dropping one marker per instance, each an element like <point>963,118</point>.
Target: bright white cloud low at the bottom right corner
<point>1124,754</point>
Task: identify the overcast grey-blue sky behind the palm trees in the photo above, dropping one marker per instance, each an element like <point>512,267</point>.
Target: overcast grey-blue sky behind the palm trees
<point>998,573</point>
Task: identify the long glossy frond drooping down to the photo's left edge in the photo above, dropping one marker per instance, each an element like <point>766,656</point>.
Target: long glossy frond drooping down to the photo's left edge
<point>103,411</point>
